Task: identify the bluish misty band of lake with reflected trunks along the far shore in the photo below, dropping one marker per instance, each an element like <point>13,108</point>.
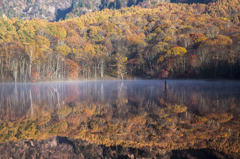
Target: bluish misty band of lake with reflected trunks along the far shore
<point>197,95</point>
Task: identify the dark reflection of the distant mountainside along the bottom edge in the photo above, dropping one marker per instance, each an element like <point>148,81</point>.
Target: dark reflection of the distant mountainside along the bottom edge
<point>77,148</point>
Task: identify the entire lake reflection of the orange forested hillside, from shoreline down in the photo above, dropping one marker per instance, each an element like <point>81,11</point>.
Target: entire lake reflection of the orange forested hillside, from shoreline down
<point>189,114</point>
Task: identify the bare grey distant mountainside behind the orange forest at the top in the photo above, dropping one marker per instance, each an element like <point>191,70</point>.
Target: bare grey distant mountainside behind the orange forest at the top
<point>53,10</point>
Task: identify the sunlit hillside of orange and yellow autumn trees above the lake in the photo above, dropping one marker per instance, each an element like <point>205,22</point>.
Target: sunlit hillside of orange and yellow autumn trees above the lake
<point>167,39</point>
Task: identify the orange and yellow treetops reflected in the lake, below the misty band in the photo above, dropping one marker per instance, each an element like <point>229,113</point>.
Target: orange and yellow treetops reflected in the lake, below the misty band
<point>131,127</point>
